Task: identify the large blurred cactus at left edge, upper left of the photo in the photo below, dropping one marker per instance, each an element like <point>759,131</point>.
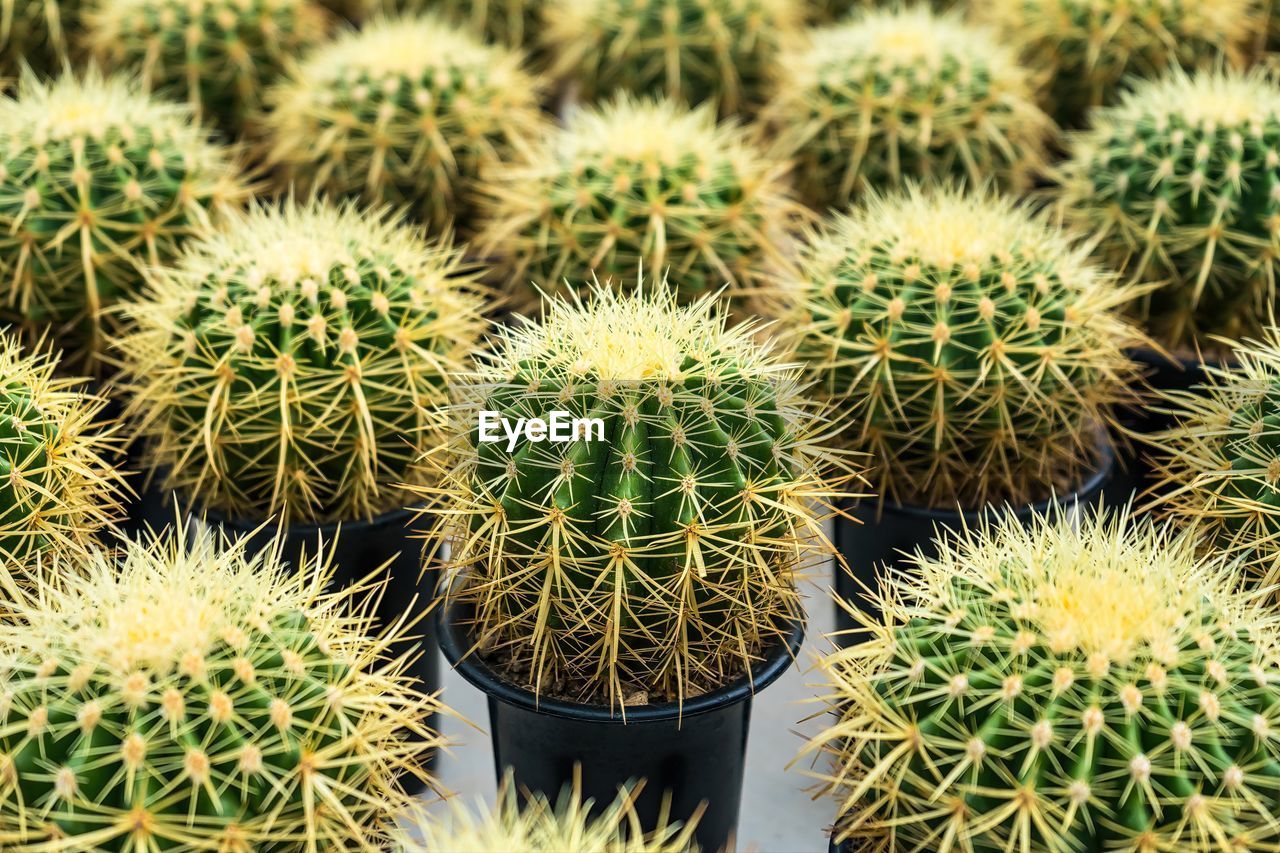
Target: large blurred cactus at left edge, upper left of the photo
<point>97,184</point>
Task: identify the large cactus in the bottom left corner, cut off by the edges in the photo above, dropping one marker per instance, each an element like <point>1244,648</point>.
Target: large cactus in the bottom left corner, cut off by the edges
<point>195,699</point>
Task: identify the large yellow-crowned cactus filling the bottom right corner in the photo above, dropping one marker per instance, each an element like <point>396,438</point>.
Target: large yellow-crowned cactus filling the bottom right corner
<point>1069,687</point>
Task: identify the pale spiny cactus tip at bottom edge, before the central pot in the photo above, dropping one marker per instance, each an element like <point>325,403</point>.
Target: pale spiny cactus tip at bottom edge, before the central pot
<point>536,825</point>
